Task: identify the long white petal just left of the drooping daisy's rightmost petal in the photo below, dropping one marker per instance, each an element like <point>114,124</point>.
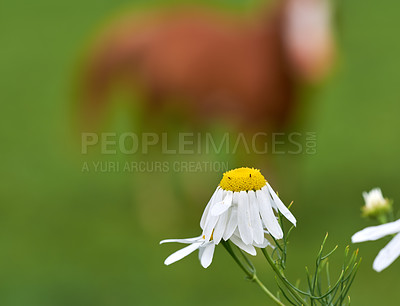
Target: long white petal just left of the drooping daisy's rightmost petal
<point>268,216</point>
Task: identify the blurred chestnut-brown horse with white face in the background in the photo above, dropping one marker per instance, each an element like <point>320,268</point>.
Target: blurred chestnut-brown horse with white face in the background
<point>245,72</point>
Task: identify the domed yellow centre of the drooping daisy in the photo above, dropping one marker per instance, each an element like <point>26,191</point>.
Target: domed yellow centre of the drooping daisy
<point>242,179</point>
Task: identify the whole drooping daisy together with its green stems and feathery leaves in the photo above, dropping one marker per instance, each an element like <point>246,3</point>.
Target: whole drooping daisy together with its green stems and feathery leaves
<point>245,213</point>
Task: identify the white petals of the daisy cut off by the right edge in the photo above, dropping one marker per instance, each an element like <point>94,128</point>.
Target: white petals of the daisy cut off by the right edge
<point>391,251</point>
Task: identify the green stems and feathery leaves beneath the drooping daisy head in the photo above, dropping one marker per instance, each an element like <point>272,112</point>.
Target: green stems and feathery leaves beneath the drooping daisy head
<point>320,289</point>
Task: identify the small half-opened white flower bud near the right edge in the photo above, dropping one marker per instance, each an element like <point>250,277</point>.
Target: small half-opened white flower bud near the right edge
<point>375,203</point>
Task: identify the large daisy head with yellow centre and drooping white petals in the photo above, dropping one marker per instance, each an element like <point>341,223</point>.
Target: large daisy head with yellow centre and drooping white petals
<point>240,210</point>
